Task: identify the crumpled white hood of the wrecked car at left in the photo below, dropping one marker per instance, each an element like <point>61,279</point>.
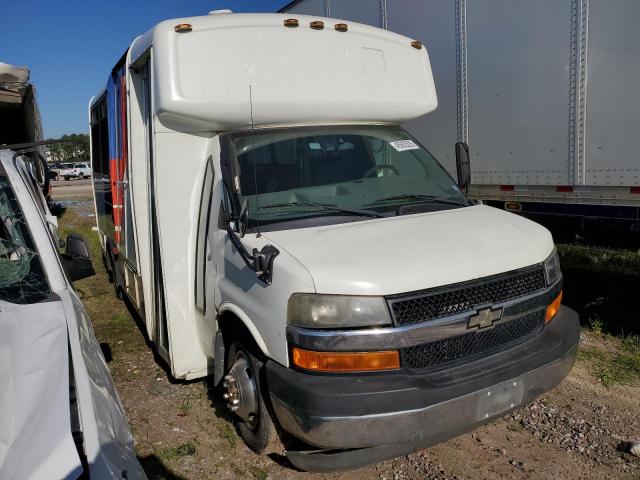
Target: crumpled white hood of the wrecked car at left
<point>35,425</point>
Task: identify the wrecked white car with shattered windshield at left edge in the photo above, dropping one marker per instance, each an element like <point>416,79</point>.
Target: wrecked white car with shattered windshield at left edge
<point>60,416</point>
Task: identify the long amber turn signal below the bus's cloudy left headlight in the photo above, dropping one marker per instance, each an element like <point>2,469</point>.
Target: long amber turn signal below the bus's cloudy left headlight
<point>346,361</point>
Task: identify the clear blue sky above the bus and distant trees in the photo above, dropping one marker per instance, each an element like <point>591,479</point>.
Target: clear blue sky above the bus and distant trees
<point>70,45</point>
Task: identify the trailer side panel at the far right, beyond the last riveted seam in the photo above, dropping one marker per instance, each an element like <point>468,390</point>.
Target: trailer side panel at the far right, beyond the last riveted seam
<point>612,144</point>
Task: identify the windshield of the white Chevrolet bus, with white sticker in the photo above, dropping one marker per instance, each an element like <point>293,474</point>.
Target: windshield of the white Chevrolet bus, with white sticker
<point>352,172</point>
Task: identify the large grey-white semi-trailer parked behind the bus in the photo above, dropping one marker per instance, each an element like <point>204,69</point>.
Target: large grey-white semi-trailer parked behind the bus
<point>543,91</point>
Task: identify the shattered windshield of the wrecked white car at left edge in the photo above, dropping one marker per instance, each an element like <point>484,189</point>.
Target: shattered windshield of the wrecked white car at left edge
<point>21,277</point>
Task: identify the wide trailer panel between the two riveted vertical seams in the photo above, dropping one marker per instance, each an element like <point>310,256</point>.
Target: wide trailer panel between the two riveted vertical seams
<point>518,87</point>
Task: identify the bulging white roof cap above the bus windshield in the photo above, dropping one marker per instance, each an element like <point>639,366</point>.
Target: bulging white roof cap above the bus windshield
<point>300,74</point>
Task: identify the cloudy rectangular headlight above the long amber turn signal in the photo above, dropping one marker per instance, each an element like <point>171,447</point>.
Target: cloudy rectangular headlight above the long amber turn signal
<point>336,311</point>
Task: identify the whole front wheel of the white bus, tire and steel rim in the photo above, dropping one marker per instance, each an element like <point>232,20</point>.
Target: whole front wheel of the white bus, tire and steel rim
<point>245,393</point>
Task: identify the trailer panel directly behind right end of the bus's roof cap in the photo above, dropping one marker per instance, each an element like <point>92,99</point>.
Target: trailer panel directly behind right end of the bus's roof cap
<point>433,23</point>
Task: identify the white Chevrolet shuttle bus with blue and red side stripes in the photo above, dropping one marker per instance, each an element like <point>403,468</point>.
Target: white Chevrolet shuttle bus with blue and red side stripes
<point>276,229</point>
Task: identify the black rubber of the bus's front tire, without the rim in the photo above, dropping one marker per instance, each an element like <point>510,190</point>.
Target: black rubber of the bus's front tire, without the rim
<point>260,435</point>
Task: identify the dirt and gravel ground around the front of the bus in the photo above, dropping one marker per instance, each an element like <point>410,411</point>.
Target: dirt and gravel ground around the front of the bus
<point>578,430</point>
